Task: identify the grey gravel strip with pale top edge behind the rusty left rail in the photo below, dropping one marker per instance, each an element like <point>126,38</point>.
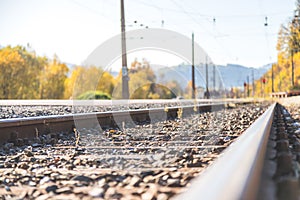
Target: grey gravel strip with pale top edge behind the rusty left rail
<point>36,108</point>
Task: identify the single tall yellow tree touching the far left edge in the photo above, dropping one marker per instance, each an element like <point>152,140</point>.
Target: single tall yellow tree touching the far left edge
<point>19,73</point>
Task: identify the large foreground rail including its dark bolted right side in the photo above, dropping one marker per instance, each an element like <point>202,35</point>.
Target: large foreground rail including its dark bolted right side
<point>262,164</point>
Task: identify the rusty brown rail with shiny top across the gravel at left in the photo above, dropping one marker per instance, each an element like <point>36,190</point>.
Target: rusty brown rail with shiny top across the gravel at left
<point>12,129</point>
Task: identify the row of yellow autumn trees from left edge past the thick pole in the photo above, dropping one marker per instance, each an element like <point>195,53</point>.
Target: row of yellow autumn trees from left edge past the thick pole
<point>25,75</point>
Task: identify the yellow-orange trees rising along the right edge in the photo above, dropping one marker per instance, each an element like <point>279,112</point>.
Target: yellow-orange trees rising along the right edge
<point>286,72</point>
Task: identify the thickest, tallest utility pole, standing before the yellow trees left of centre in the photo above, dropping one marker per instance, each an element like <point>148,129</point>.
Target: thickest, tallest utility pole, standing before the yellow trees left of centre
<point>125,79</point>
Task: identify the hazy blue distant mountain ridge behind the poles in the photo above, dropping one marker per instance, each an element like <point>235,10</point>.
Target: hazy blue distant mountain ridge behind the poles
<point>219,76</point>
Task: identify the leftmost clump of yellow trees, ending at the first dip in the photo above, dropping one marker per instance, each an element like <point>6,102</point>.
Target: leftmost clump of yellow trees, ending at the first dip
<point>24,75</point>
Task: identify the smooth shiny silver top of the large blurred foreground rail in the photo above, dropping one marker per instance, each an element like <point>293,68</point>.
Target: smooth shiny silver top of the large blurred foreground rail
<point>236,173</point>
